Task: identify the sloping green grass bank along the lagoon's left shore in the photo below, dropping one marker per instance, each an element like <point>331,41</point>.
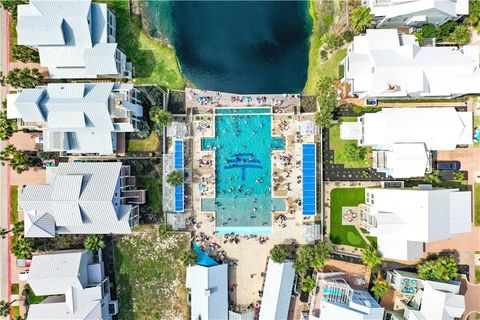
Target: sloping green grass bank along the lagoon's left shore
<point>153,62</point>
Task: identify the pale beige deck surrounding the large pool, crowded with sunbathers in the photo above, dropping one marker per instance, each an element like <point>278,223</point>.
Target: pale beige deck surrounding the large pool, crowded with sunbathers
<point>286,169</point>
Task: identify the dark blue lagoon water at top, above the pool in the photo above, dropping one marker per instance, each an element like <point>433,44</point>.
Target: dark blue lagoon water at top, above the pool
<point>237,46</point>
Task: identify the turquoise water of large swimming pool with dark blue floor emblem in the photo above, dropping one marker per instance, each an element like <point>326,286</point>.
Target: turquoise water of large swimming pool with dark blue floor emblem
<point>243,146</point>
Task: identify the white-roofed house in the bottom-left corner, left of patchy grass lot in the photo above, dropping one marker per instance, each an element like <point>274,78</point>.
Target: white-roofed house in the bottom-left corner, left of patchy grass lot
<point>75,285</point>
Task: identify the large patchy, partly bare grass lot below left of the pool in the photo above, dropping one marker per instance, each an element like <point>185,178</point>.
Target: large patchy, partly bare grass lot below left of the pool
<point>150,278</point>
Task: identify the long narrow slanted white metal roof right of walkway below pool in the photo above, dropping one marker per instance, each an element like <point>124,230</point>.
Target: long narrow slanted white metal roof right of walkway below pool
<point>277,291</point>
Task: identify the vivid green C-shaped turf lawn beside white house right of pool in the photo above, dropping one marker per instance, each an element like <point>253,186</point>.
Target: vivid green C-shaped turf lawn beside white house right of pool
<point>340,234</point>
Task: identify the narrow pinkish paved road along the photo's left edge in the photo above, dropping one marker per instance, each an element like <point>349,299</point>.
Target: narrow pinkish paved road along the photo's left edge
<point>3,170</point>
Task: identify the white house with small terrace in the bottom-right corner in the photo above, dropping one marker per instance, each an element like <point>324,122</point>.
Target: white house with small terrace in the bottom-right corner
<point>424,299</point>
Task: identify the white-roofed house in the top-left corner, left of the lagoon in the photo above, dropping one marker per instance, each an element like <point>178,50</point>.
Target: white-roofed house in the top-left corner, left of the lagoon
<point>75,39</point>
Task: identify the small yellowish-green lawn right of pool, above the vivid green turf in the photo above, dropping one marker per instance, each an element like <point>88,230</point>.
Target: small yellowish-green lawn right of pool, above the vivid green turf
<point>338,147</point>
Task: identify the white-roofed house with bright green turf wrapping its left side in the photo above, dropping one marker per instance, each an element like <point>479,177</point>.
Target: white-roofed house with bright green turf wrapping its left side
<point>404,219</point>
